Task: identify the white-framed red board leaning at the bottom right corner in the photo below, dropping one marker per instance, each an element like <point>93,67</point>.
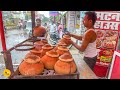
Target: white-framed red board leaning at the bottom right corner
<point>114,72</point>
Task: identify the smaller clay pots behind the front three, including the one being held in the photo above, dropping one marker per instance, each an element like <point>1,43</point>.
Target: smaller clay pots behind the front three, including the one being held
<point>41,47</point>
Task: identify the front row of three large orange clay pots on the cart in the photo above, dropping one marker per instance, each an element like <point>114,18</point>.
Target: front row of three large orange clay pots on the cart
<point>34,65</point>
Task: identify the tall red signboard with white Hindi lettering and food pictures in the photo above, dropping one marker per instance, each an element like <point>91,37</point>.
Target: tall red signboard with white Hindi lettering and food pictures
<point>106,28</point>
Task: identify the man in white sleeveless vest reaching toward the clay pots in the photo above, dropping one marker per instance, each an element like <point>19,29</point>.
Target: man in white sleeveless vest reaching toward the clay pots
<point>88,45</point>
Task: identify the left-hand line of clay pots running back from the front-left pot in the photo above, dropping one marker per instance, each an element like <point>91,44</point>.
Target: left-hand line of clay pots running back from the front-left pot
<point>32,64</point>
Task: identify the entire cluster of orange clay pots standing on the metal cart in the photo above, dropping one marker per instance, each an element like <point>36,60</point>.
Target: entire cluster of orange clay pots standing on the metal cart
<point>44,56</point>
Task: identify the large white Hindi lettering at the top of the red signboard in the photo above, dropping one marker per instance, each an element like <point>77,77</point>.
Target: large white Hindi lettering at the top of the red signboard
<point>107,20</point>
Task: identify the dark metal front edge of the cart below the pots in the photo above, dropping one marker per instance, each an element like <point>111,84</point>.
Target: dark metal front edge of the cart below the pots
<point>17,75</point>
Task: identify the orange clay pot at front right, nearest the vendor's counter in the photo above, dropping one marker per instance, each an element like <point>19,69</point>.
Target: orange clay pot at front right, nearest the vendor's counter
<point>65,65</point>
